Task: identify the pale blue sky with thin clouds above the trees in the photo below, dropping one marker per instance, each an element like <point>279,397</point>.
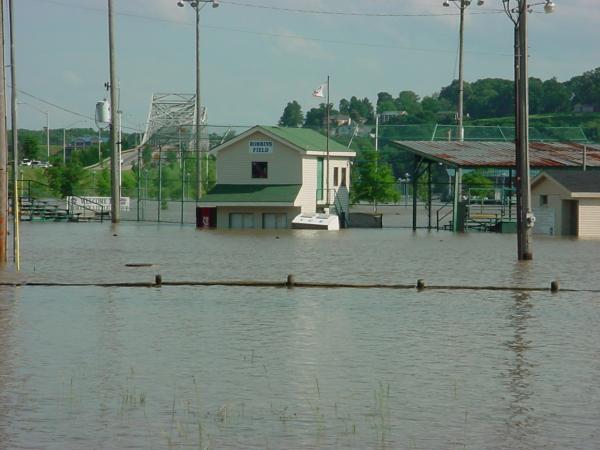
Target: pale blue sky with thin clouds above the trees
<point>256,56</point>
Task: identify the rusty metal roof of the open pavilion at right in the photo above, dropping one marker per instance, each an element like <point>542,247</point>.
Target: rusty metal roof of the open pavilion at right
<point>473,154</point>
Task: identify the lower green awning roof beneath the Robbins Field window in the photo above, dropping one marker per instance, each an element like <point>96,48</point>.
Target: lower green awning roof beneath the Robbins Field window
<point>252,193</point>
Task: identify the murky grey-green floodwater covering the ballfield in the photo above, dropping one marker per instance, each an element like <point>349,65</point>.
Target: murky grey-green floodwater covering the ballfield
<point>273,368</point>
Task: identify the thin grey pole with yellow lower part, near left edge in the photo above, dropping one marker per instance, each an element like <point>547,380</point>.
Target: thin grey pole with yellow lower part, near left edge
<point>15,139</point>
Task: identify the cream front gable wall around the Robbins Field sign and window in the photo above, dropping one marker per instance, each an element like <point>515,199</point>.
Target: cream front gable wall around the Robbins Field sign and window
<point>234,163</point>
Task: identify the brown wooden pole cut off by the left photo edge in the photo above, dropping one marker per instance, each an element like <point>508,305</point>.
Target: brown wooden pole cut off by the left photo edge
<point>3,149</point>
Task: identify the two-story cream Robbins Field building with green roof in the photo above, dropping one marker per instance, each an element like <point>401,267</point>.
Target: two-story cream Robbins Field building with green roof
<point>269,175</point>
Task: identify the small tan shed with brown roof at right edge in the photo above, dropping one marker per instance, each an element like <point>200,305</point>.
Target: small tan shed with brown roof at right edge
<point>567,203</point>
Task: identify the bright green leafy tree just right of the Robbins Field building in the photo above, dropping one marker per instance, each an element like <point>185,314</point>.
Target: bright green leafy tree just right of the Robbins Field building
<point>372,180</point>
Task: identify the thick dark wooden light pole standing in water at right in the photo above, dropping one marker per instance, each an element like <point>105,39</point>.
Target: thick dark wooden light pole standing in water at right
<point>525,217</point>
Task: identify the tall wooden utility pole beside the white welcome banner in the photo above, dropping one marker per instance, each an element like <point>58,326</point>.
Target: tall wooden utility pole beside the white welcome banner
<point>115,163</point>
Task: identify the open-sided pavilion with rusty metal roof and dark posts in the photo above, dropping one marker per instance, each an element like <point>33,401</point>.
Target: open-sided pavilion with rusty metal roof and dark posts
<point>492,155</point>
